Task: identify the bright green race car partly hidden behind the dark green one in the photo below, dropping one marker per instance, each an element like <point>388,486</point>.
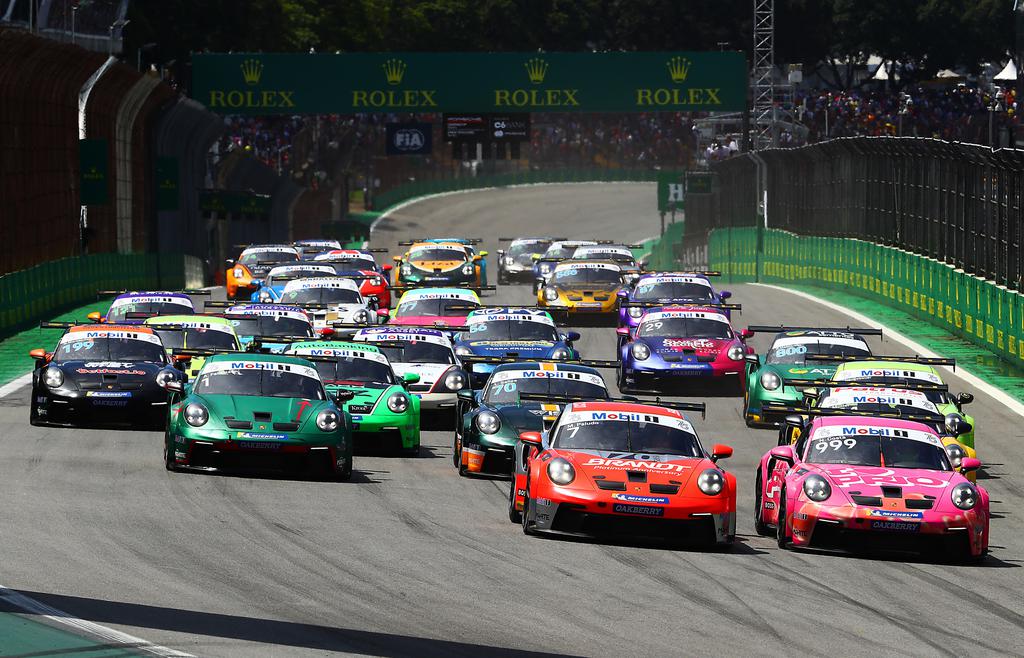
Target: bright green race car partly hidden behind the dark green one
<point>385,414</point>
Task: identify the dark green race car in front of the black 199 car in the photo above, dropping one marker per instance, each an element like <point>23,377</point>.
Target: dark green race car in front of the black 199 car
<point>258,412</point>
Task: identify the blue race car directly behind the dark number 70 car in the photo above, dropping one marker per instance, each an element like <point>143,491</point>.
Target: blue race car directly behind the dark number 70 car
<point>513,332</point>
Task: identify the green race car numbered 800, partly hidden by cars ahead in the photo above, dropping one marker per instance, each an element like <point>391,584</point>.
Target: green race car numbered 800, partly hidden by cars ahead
<point>792,358</point>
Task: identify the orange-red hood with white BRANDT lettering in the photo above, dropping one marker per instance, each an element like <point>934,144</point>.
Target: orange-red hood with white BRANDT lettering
<point>658,469</point>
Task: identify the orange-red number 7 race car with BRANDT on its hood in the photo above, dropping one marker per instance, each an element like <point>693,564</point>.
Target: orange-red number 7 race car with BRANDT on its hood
<point>623,468</point>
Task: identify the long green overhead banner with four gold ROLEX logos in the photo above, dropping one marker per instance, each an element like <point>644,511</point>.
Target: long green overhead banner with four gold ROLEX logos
<point>347,83</point>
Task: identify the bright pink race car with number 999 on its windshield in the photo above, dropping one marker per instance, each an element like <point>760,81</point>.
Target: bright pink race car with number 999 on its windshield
<point>871,482</point>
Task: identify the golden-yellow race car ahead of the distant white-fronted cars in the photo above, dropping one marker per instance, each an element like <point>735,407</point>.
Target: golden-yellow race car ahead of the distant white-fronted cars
<point>584,289</point>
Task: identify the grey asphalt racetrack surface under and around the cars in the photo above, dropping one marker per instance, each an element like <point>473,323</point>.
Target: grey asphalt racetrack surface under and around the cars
<point>410,559</point>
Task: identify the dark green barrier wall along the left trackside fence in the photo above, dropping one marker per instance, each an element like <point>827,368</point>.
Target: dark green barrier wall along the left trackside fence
<point>38,293</point>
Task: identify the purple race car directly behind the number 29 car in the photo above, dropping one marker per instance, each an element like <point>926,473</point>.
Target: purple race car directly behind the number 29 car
<point>666,289</point>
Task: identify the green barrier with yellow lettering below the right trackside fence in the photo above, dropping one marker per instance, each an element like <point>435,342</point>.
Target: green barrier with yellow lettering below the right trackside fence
<point>989,316</point>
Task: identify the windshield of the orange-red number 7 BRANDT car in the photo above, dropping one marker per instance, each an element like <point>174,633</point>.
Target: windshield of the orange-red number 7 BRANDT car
<point>627,436</point>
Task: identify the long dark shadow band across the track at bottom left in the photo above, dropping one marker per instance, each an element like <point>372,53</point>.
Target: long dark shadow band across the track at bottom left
<point>271,632</point>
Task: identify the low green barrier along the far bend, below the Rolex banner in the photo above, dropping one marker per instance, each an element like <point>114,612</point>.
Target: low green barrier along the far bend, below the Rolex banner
<point>421,189</point>
